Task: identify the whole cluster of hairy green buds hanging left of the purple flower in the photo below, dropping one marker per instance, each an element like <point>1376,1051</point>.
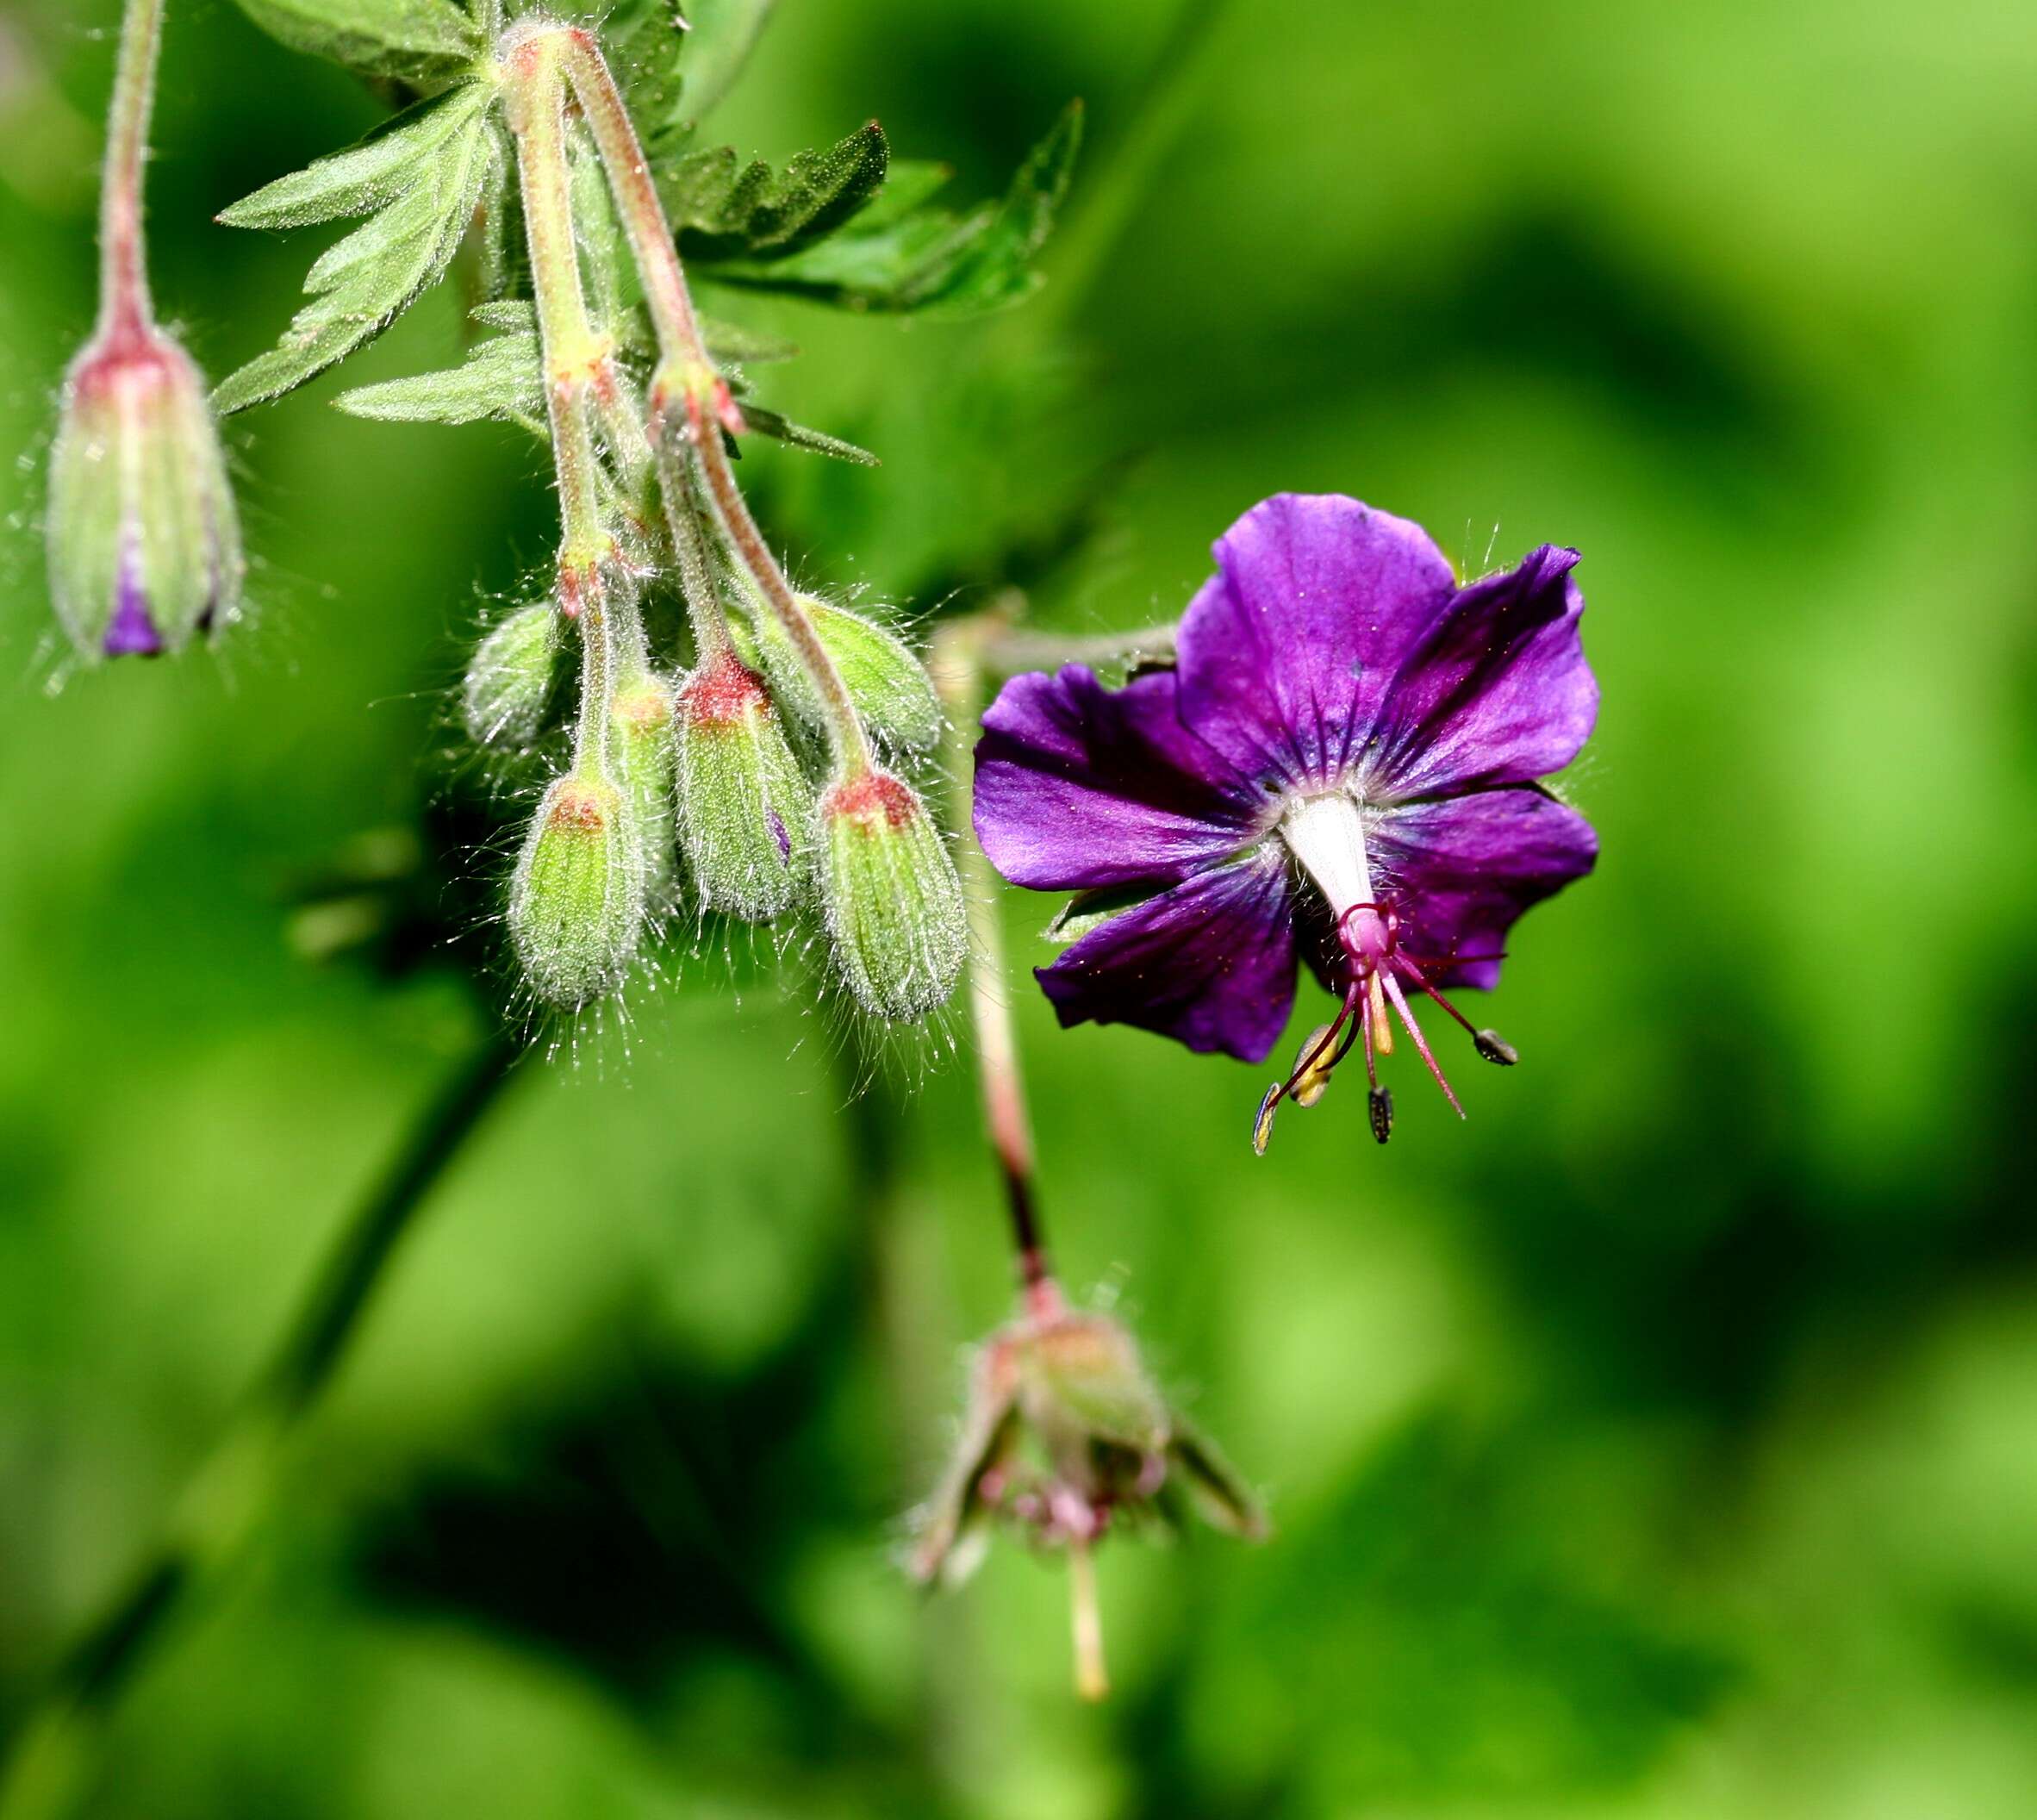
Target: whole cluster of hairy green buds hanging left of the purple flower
<point>708,780</point>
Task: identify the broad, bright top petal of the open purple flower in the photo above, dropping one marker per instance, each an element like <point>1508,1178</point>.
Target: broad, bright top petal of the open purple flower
<point>1288,651</point>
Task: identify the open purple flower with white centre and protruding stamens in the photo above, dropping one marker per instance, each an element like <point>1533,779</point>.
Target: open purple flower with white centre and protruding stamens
<point>1341,769</point>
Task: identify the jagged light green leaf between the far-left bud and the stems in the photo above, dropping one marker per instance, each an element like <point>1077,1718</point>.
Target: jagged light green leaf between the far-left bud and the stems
<point>362,284</point>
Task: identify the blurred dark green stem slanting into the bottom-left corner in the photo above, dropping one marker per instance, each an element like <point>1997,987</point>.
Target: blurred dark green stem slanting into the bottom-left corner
<point>50,1754</point>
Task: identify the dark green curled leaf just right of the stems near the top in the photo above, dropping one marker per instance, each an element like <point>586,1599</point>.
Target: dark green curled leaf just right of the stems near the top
<point>726,209</point>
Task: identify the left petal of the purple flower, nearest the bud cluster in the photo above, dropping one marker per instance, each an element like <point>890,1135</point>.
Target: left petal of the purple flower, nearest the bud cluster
<point>1079,786</point>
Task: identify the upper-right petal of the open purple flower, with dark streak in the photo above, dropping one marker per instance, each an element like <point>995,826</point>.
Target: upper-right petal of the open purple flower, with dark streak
<point>1498,694</point>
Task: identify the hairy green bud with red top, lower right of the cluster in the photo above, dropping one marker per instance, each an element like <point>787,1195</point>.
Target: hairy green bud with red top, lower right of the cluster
<point>891,896</point>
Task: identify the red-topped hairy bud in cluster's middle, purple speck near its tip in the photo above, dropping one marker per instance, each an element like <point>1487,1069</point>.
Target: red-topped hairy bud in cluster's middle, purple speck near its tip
<point>745,804</point>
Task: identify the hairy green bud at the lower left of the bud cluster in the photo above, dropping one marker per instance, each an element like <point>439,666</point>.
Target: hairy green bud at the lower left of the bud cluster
<point>577,898</point>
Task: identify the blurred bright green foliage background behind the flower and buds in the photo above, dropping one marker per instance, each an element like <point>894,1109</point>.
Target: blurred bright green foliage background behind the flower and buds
<point>1663,1442</point>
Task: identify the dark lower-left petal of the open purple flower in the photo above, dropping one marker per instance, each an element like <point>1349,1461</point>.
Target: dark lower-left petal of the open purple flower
<point>1209,963</point>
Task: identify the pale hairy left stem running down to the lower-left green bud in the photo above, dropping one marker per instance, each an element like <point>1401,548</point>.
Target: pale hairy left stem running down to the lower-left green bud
<point>573,358</point>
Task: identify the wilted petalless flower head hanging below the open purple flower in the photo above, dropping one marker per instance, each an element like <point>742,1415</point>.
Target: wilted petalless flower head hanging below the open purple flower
<point>1066,1438</point>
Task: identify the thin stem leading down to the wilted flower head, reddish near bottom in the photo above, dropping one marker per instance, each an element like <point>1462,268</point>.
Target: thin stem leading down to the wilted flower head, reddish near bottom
<point>958,676</point>
